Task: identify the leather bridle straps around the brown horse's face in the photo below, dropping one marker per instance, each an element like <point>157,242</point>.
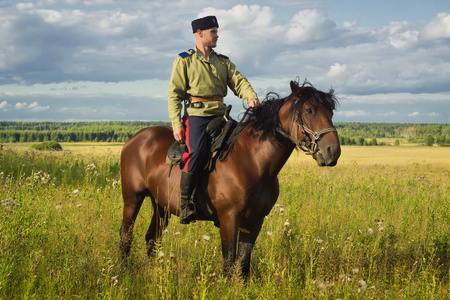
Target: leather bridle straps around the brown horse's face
<point>310,146</point>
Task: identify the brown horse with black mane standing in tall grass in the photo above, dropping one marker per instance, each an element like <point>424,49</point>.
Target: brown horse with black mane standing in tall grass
<point>244,187</point>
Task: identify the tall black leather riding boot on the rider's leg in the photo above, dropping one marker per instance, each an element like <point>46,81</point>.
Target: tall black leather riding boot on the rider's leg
<point>187,187</point>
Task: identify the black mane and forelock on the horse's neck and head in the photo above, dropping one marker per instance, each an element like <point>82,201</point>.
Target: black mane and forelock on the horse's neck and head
<point>264,119</point>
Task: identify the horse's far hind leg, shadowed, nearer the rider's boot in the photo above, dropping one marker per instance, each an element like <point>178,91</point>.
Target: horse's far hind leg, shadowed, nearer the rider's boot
<point>160,220</point>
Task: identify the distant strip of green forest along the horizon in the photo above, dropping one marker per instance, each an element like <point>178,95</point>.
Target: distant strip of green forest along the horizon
<point>364,134</point>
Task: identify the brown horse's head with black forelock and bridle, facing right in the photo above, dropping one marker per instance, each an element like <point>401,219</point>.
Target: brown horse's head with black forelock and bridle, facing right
<point>310,125</point>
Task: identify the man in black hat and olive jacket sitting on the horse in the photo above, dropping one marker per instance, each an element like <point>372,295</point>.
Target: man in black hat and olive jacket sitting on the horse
<point>201,76</point>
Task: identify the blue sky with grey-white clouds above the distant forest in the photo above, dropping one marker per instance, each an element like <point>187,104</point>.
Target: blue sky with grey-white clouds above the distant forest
<point>90,60</point>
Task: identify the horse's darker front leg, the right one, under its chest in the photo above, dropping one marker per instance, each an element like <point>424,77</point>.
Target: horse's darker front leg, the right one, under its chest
<point>247,238</point>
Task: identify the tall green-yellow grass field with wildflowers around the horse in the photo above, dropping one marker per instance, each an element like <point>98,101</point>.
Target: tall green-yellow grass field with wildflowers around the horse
<point>376,226</point>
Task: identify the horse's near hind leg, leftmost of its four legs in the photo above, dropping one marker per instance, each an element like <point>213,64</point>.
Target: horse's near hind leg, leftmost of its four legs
<point>132,205</point>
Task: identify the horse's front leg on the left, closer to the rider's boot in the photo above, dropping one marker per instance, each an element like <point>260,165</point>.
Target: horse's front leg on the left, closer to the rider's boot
<point>228,235</point>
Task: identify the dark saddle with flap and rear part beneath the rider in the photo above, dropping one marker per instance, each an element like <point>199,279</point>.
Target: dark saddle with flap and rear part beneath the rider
<point>219,131</point>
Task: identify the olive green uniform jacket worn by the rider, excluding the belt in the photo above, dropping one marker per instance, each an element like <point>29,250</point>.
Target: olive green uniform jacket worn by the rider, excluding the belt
<point>194,75</point>
